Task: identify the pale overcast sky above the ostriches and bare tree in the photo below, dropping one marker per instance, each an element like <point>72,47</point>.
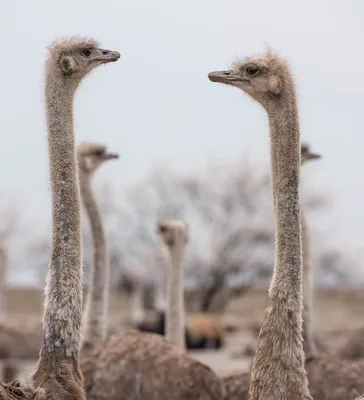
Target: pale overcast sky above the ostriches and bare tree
<point>156,105</point>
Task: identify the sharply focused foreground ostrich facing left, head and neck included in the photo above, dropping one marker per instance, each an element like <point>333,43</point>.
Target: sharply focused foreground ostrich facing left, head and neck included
<point>278,370</point>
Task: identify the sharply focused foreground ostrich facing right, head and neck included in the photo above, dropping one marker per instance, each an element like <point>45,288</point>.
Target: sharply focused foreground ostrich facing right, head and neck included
<point>57,374</point>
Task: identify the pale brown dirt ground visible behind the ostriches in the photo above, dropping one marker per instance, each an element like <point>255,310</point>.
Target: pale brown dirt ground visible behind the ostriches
<point>337,312</point>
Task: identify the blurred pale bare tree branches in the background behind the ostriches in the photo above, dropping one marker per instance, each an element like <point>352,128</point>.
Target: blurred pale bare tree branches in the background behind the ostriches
<point>228,208</point>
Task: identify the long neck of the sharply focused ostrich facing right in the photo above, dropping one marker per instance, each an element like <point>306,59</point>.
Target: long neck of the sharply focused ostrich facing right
<point>63,292</point>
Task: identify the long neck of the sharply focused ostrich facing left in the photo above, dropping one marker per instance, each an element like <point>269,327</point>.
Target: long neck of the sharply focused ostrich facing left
<point>279,362</point>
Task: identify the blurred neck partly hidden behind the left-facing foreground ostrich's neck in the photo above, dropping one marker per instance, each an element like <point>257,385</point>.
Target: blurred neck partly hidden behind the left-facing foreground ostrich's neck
<point>308,290</point>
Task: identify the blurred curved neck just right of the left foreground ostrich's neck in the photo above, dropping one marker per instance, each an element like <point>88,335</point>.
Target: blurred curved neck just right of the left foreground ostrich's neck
<point>96,307</point>
